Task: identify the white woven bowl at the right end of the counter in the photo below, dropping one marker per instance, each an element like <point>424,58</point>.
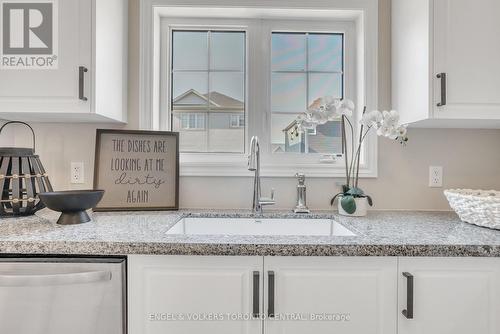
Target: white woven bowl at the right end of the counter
<point>478,207</point>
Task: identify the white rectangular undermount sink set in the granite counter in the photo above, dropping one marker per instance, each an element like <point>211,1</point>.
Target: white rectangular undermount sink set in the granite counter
<point>259,227</point>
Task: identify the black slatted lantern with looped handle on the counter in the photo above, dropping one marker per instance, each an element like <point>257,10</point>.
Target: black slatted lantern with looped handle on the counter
<point>22,178</point>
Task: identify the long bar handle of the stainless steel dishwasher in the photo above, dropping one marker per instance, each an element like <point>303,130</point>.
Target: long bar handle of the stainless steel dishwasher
<point>54,279</point>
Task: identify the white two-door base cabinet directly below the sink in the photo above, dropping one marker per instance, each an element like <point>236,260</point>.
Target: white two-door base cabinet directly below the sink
<point>294,295</point>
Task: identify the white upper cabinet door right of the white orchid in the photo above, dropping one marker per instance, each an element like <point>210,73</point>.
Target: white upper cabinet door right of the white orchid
<point>466,48</point>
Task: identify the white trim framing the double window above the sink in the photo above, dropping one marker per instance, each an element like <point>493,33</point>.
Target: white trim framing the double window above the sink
<point>363,12</point>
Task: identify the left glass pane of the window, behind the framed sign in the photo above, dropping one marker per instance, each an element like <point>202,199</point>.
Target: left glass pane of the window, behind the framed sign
<point>208,89</point>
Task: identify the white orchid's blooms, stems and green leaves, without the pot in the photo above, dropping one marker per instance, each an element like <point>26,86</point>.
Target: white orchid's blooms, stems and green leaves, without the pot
<point>386,123</point>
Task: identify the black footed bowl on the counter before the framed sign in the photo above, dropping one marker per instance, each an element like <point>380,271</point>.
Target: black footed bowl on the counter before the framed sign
<point>72,204</point>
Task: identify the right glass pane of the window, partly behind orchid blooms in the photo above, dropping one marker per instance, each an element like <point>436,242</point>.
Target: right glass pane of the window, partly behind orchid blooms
<point>304,67</point>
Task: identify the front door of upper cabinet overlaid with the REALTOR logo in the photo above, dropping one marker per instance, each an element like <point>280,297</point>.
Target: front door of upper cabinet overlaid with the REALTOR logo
<point>53,89</point>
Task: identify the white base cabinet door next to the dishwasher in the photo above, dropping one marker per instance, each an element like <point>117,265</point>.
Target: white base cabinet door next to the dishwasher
<point>194,294</point>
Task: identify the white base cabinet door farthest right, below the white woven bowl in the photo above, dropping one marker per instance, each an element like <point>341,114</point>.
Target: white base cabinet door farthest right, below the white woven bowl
<point>451,296</point>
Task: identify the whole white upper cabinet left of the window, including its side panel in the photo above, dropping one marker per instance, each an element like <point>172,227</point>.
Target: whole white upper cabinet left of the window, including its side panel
<point>64,61</point>
